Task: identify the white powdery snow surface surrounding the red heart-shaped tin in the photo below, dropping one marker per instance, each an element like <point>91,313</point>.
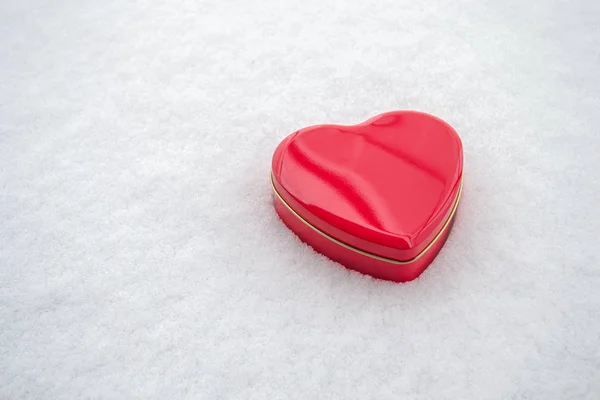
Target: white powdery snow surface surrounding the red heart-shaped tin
<point>140,257</point>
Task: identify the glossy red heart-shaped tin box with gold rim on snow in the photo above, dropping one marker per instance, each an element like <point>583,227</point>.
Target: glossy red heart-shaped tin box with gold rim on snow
<point>379,197</point>
